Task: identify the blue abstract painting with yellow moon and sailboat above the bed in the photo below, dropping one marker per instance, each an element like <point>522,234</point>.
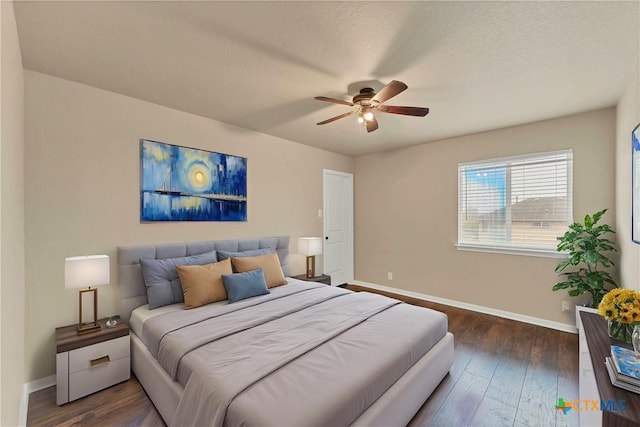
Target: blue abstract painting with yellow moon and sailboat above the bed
<point>185,184</point>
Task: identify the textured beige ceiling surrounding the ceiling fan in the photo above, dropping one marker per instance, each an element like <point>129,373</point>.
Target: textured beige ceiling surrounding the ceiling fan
<point>477,65</point>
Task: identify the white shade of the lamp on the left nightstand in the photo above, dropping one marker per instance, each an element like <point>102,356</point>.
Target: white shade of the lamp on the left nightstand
<point>85,271</point>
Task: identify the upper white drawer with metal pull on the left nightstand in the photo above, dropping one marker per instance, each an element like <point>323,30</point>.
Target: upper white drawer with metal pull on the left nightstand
<point>103,353</point>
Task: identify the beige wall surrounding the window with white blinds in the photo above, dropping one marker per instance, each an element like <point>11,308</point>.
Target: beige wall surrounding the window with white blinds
<point>406,214</point>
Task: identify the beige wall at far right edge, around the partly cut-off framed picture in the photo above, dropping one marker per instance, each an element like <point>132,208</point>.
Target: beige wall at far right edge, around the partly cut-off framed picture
<point>627,117</point>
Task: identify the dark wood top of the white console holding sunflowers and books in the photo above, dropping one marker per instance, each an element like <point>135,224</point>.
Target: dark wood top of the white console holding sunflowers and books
<point>599,343</point>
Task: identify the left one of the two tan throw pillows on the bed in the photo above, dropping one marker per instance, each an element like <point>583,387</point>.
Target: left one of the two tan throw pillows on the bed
<point>202,284</point>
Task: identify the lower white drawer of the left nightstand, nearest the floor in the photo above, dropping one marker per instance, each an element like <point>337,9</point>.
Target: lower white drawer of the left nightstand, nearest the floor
<point>98,377</point>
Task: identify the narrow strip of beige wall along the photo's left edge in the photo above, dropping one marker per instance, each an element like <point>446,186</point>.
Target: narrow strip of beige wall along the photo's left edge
<point>12,273</point>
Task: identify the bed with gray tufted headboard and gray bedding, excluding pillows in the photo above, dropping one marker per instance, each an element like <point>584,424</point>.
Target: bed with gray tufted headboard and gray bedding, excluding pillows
<point>303,354</point>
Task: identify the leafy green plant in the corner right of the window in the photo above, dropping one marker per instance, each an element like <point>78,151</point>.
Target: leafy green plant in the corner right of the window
<point>587,248</point>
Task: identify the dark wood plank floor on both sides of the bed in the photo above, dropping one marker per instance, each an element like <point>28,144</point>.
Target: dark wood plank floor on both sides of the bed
<point>505,373</point>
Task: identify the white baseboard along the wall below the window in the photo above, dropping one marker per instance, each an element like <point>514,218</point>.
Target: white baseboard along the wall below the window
<point>473,307</point>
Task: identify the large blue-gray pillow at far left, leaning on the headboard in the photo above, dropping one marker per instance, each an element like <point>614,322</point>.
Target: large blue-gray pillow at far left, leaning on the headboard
<point>162,280</point>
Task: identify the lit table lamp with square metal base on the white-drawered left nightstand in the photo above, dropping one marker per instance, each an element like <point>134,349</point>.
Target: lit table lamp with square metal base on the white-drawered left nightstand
<point>84,272</point>
